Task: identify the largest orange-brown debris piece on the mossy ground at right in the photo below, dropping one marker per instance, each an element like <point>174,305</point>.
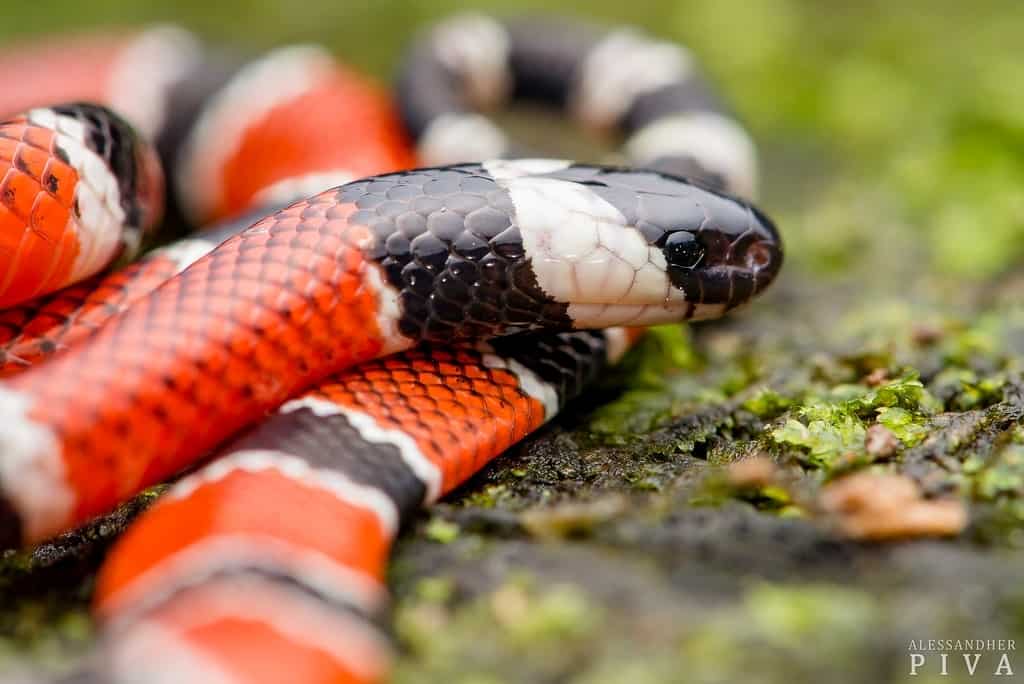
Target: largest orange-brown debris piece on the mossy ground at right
<point>868,506</point>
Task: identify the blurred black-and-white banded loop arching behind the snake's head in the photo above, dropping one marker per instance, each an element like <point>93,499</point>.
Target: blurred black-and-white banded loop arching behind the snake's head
<point>648,93</point>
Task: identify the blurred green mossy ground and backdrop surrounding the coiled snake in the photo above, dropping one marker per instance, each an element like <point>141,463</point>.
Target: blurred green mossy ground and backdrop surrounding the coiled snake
<point>892,142</point>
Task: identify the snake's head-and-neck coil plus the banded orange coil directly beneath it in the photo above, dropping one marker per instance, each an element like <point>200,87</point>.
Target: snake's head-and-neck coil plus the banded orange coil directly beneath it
<point>369,296</point>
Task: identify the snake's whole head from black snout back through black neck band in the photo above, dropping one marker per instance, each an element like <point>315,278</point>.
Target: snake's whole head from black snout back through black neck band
<point>500,247</point>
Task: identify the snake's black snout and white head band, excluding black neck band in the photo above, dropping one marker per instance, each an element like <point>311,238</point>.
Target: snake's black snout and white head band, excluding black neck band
<point>638,247</point>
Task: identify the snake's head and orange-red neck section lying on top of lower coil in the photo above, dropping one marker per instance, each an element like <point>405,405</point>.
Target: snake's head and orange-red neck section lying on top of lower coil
<point>374,268</point>
